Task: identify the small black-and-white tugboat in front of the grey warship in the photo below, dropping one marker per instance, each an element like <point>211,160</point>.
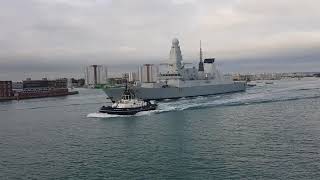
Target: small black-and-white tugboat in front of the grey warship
<point>128,105</point>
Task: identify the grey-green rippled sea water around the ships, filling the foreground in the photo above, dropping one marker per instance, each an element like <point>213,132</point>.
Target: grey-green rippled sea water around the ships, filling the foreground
<point>271,131</point>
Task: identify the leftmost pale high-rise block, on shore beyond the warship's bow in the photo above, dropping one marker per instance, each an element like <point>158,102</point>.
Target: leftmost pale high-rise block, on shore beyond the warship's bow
<point>96,74</point>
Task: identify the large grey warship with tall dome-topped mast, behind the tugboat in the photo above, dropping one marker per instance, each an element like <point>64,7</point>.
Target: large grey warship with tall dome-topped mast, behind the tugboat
<point>180,81</point>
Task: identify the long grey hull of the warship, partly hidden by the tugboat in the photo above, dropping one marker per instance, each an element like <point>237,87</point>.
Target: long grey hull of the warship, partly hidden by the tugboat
<point>177,92</point>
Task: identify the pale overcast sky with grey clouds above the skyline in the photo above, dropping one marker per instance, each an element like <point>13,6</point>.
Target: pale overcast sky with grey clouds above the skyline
<point>62,36</point>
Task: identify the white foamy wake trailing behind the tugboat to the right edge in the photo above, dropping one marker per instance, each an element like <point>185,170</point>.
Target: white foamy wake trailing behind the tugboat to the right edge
<point>279,92</point>
